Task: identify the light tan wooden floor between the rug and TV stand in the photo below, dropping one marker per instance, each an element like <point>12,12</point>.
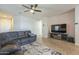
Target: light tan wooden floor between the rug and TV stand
<point>64,47</point>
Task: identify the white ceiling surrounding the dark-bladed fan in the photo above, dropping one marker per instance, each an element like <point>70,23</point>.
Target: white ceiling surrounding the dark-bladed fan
<point>48,10</point>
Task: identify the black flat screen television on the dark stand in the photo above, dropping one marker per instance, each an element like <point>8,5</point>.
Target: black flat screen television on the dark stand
<point>60,28</point>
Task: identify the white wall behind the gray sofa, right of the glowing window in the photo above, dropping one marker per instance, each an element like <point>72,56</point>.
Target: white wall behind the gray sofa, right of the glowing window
<point>25,23</point>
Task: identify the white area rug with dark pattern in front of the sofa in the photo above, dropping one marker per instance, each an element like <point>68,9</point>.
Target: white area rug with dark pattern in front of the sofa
<point>37,48</point>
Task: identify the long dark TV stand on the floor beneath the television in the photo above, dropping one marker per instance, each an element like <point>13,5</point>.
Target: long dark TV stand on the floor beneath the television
<point>62,36</point>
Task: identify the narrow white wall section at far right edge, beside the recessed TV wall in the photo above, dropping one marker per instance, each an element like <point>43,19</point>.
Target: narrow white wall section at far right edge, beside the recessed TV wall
<point>77,25</point>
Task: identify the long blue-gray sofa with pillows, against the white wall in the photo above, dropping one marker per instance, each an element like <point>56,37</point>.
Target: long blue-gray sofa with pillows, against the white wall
<point>17,37</point>
